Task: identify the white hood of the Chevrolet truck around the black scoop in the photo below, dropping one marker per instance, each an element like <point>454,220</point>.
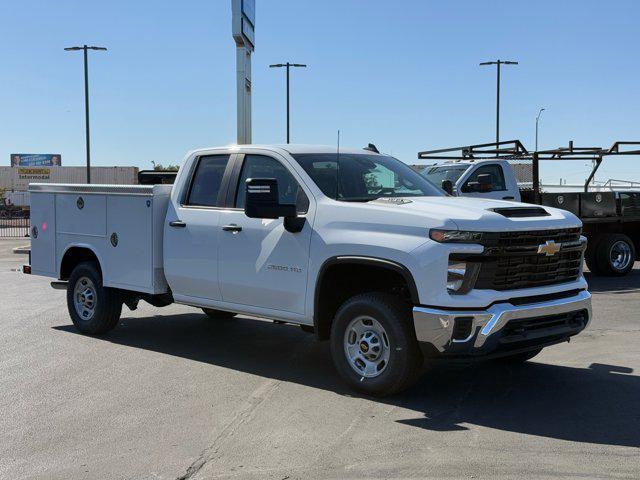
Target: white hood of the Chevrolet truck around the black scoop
<point>471,213</point>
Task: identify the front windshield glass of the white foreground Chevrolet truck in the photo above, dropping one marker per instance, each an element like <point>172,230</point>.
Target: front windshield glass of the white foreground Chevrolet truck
<point>363,177</point>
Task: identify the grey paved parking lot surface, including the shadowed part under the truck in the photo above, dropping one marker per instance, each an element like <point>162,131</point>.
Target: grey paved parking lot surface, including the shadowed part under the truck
<point>172,394</point>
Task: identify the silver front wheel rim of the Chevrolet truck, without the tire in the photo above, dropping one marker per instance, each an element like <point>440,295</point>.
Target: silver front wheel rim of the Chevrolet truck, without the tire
<point>366,346</point>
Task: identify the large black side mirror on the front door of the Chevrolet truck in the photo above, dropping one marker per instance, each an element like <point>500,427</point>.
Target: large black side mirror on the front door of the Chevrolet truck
<point>262,200</point>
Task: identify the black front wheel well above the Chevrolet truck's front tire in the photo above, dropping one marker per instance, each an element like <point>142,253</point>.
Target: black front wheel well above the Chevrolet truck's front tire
<point>342,278</point>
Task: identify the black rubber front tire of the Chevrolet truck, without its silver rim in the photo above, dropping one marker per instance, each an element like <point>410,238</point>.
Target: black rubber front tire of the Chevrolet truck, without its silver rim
<point>404,356</point>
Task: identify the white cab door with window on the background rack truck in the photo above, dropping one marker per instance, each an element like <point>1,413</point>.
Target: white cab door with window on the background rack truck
<point>489,180</point>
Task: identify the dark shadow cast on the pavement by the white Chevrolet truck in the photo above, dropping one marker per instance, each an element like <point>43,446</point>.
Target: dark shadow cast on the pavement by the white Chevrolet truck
<point>596,405</point>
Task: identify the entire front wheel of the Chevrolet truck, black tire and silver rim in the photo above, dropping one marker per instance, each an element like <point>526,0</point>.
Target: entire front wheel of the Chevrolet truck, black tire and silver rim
<point>373,344</point>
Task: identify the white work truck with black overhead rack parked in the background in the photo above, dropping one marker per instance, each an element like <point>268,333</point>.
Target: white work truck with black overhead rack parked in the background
<point>611,220</point>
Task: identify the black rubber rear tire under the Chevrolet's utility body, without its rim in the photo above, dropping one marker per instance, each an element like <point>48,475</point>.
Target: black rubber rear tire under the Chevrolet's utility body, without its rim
<point>107,304</point>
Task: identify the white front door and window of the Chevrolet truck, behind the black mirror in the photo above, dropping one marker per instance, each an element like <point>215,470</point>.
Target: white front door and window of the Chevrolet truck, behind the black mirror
<point>261,263</point>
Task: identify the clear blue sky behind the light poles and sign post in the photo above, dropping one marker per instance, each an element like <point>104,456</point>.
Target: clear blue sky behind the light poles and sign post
<point>401,74</point>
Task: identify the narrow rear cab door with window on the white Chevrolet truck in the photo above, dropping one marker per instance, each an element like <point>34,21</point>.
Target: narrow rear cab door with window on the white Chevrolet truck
<point>191,230</point>
